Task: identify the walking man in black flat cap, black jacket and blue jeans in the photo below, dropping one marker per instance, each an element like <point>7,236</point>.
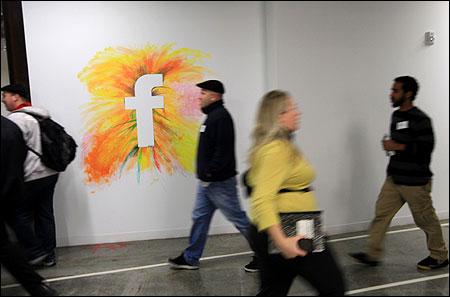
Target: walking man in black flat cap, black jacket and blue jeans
<point>216,171</point>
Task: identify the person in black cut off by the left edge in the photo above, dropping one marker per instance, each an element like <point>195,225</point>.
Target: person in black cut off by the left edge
<point>12,256</point>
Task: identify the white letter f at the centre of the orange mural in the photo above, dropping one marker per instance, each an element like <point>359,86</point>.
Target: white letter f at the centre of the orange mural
<point>144,103</point>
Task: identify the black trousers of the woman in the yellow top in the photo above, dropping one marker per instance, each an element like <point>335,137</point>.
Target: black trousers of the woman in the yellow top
<point>278,273</point>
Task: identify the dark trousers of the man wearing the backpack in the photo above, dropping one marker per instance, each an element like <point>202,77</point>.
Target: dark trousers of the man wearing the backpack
<point>35,221</point>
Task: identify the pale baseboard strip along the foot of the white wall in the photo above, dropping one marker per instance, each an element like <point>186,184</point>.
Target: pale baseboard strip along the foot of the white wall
<point>224,229</point>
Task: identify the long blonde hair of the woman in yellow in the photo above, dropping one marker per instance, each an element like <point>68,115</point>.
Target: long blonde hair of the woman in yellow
<point>267,127</point>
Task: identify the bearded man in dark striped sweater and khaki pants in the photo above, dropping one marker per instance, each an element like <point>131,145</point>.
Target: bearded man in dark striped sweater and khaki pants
<point>408,178</point>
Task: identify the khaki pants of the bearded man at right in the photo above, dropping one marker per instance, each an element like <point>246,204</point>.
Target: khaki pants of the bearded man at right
<point>390,200</point>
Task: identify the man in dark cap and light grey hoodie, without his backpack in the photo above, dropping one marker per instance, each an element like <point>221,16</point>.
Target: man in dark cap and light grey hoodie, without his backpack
<point>35,222</point>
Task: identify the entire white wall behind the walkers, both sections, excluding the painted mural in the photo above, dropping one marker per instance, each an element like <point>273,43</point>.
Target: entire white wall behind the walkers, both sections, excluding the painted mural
<point>337,58</point>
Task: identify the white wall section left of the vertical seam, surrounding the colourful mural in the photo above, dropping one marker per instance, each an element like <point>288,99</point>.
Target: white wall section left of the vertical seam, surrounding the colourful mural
<point>62,37</point>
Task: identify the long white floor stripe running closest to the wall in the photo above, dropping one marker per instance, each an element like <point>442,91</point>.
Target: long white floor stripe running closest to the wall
<point>202,259</point>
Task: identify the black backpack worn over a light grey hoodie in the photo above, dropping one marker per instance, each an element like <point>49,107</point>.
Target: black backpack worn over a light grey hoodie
<point>58,147</point>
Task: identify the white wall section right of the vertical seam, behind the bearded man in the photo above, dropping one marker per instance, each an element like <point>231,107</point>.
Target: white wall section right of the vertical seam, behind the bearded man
<point>339,59</point>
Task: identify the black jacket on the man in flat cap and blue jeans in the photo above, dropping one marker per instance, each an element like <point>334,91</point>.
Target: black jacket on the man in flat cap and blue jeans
<point>216,154</point>
